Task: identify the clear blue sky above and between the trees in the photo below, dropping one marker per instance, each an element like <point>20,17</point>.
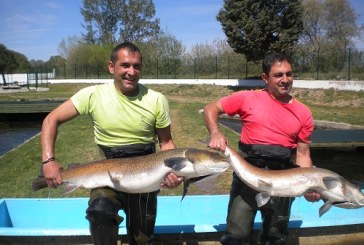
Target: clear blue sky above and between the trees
<point>35,28</point>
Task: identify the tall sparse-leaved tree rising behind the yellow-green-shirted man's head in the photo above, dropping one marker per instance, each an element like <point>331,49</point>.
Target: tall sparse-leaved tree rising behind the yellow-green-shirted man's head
<point>111,21</point>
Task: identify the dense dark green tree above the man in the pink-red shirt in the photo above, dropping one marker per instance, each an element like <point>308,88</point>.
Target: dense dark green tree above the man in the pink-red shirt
<point>254,27</point>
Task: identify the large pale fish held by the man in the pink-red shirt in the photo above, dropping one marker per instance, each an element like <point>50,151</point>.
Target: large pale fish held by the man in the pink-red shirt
<point>334,189</point>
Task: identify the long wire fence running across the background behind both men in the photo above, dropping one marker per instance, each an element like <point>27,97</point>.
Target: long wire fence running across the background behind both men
<point>317,65</point>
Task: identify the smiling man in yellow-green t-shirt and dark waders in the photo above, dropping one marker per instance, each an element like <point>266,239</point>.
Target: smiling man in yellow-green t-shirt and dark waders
<point>127,117</point>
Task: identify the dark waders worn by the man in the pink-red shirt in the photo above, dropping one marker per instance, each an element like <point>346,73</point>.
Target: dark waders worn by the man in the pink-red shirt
<point>243,207</point>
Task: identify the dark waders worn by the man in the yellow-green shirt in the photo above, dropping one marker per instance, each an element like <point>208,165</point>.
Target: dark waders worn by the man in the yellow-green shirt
<point>105,203</point>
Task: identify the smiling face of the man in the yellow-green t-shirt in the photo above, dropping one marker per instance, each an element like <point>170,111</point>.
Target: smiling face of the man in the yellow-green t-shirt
<point>127,71</point>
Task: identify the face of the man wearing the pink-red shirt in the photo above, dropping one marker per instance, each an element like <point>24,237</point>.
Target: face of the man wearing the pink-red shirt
<point>279,80</point>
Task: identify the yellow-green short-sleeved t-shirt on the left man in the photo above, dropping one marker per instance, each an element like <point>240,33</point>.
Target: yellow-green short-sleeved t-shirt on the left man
<point>121,120</point>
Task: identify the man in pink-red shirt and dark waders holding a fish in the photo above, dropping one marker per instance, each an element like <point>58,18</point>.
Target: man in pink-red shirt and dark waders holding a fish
<point>276,134</point>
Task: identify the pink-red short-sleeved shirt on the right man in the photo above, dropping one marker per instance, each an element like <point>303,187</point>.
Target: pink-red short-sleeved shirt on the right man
<point>268,121</point>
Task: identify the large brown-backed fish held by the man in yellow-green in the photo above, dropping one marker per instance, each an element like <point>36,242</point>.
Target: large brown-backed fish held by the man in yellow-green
<point>143,173</point>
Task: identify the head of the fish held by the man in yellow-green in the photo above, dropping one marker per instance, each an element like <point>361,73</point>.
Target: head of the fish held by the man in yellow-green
<point>207,162</point>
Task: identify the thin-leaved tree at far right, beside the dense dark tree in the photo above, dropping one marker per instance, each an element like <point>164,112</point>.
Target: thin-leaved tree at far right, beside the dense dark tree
<point>329,27</point>
